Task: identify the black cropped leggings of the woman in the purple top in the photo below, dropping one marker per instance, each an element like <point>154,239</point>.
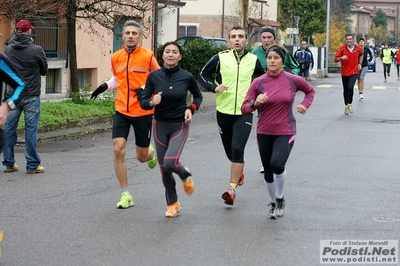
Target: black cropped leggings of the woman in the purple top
<point>274,152</point>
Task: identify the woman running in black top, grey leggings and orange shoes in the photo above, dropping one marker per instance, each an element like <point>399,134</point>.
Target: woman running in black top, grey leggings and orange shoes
<point>170,85</point>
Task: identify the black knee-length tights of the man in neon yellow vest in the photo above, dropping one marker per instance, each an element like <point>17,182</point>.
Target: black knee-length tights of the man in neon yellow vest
<point>235,131</point>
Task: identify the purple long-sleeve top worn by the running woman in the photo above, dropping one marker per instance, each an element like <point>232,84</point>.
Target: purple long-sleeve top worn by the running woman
<point>276,114</point>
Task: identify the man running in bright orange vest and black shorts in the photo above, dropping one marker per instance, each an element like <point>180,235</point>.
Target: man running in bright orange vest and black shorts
<point>130,67</point>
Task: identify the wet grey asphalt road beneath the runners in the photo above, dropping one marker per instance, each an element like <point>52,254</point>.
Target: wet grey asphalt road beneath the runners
<point>343,184</point>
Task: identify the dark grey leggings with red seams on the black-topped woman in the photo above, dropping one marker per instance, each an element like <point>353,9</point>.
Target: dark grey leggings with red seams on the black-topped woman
<point>170,138</point>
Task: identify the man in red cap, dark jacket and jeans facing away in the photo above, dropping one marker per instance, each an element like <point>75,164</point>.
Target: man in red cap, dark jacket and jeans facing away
<point>30,62</point>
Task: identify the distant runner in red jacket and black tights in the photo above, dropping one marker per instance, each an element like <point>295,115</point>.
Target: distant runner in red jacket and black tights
<point>351,57</point>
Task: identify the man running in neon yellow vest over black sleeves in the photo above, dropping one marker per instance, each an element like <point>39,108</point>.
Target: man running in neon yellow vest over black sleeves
<point>229,75</point>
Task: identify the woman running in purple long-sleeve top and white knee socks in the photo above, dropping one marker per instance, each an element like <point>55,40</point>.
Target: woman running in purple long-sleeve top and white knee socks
<point>273,94</point>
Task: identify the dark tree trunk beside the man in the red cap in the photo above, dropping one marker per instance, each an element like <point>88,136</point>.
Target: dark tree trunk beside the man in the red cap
<point>73,65</point>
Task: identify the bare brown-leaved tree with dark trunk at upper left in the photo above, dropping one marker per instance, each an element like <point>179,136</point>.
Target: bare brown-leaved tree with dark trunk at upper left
<point>83,13</point>
